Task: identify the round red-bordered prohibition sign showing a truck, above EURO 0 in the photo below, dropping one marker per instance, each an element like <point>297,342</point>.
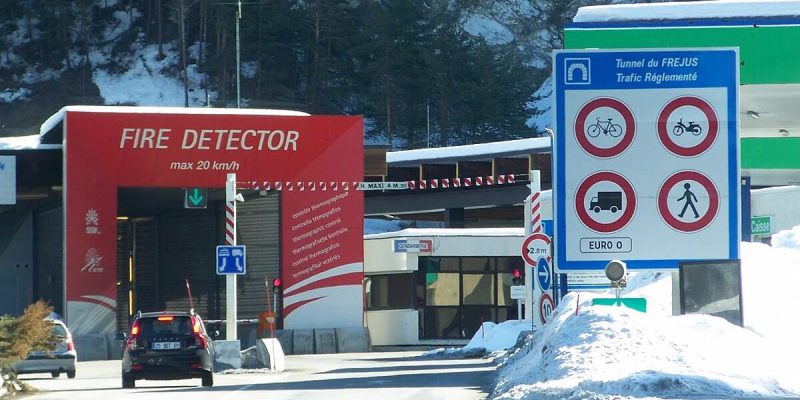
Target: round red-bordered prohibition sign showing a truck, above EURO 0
<point>627,211</point>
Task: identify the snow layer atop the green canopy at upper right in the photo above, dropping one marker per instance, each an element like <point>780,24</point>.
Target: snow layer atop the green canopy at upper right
<point>720,9</point>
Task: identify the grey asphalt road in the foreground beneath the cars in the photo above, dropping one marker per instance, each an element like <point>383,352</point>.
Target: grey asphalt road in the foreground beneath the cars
<point>376,375</point>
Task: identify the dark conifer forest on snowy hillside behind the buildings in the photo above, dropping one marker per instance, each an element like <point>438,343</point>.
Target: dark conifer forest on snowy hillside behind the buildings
<point>414,69</point>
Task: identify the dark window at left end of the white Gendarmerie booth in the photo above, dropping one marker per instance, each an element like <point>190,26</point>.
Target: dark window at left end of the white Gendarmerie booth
<point>390,291</point>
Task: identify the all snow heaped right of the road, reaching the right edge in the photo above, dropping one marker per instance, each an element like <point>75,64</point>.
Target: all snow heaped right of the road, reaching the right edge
<point>597,352</point>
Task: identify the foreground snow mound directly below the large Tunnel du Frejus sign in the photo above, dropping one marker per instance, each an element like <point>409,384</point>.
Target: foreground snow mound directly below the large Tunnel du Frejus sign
<point>613,351</point>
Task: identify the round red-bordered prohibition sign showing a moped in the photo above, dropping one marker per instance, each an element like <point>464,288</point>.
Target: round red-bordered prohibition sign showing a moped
<point>664,130</point>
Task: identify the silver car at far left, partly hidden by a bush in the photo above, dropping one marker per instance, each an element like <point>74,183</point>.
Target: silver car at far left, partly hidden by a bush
<point>62,359</point>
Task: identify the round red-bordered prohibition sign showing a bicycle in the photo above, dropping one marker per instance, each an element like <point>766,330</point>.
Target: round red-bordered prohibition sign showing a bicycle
<point>582,136</point>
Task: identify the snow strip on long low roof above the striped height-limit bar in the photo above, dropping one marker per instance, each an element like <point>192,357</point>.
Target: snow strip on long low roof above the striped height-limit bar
<point>507,148</point>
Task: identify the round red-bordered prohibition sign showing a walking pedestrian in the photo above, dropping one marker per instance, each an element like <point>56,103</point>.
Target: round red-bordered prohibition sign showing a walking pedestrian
<point>701,222</point>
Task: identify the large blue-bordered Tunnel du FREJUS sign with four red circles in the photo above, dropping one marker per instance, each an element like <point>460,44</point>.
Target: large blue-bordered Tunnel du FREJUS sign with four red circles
<point>646,157</point>
